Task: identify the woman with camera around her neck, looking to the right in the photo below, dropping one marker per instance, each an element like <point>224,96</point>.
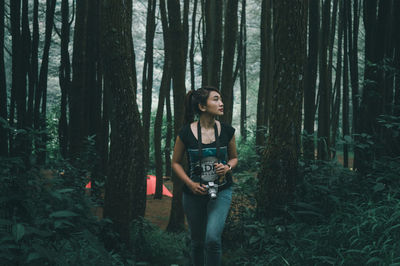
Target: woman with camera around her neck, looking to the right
<point>211,152</point>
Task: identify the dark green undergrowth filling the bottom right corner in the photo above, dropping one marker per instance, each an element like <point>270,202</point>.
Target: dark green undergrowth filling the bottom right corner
<point>338,218</point>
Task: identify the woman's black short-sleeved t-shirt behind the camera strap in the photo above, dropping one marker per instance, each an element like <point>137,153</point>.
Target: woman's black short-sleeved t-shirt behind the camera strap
<point>209,153</point>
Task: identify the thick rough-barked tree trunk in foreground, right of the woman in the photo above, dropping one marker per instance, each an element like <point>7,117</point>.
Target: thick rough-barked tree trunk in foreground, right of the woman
<point>280,158</point>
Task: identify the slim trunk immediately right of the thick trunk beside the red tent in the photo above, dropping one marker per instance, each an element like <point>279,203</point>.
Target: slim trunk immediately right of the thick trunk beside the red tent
<point>147,81</point>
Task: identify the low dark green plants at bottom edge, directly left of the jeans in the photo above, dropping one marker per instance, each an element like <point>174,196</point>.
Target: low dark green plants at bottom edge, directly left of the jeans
<point>152,246</point>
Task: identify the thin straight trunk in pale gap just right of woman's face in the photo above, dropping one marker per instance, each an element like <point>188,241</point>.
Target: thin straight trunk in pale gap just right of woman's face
<point>242,50</point>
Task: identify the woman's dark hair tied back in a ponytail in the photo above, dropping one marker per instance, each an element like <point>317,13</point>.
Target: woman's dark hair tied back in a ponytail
<point>194,98</point>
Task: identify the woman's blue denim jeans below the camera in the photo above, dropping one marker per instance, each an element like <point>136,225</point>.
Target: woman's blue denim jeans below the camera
<point>206,219</point>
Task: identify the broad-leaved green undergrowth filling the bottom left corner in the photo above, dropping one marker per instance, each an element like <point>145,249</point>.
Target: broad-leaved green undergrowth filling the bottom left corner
<point>46,219</point>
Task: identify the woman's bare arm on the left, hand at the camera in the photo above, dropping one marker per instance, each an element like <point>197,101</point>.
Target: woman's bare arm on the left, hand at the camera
<point>177,157</point>
